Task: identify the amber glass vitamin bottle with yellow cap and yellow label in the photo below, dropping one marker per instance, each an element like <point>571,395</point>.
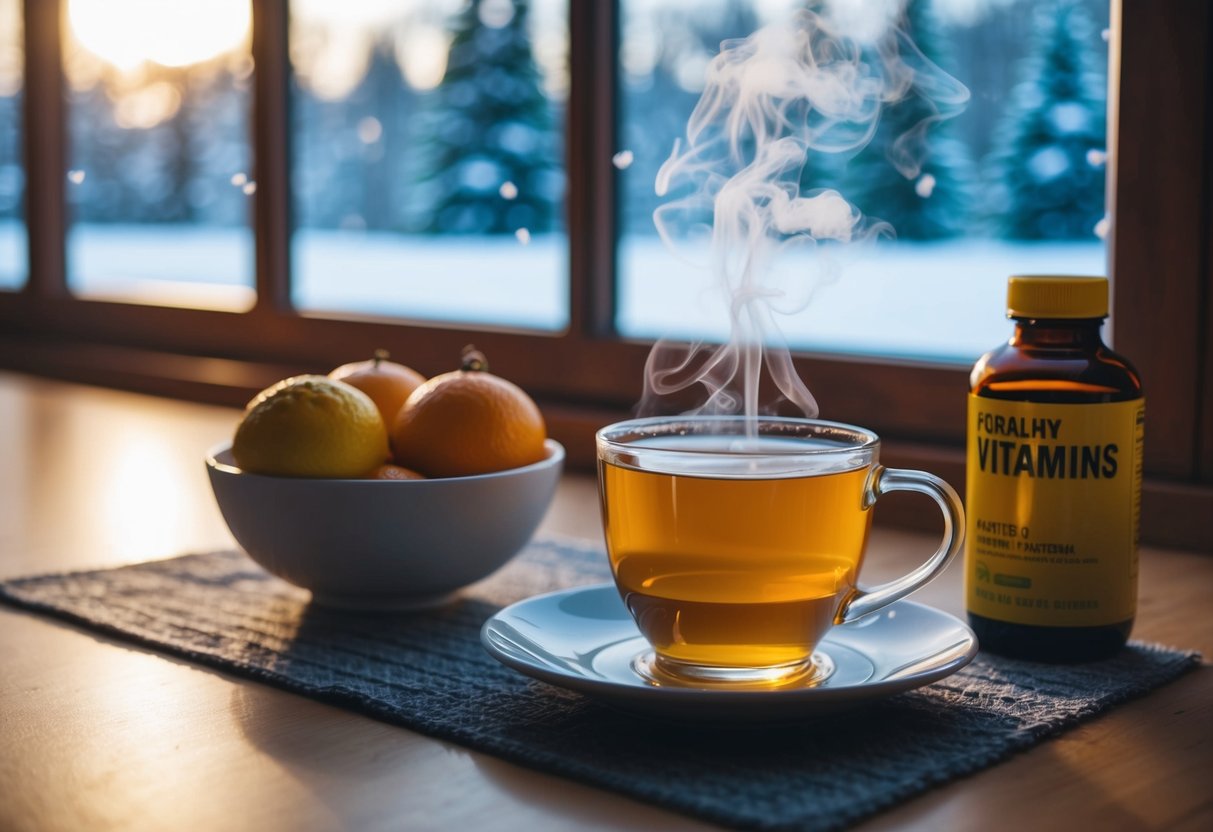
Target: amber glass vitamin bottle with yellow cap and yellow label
<point>1056,425</point>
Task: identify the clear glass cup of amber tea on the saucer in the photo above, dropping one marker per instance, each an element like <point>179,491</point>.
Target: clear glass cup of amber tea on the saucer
<point>737,554</point>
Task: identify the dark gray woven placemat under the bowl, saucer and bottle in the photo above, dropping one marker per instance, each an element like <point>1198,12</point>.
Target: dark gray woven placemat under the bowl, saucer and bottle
<point>429,673</point>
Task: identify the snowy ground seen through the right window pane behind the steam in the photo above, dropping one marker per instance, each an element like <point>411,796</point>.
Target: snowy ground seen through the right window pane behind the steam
<point>941,301</point>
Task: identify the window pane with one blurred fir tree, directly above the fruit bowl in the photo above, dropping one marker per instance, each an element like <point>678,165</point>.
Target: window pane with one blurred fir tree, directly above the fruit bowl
<point>428,149</point>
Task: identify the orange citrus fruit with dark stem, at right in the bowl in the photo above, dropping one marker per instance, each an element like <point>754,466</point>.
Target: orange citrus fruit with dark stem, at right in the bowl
<point>469,423</point>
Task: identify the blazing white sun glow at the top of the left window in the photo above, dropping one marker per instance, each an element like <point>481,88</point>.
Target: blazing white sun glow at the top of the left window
<point>172,33</point>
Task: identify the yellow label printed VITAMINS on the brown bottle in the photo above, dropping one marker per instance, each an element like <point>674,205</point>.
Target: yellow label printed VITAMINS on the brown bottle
<point>1053,506</point>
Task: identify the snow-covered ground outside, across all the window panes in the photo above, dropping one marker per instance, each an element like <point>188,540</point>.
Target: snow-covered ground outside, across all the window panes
<point>937,301</point>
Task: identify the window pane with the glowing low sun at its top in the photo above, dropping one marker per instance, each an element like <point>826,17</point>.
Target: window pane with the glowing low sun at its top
<point>158,179</point>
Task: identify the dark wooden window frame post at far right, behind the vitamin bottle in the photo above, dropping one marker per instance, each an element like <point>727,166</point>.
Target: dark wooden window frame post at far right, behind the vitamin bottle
<point>1161,216</point>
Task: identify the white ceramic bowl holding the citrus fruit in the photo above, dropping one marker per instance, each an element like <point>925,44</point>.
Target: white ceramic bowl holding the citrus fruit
<point>384,544</point>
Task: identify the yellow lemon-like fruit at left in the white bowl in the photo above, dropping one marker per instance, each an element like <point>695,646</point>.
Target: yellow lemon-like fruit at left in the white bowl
<point>311,426</point>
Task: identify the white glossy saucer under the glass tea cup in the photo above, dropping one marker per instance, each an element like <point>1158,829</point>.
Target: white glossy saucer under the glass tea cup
<point>584,640</point>
